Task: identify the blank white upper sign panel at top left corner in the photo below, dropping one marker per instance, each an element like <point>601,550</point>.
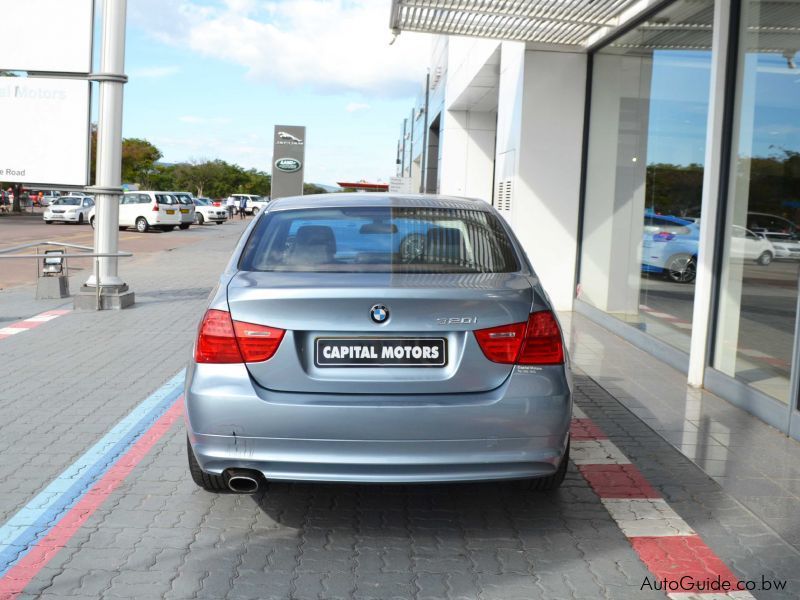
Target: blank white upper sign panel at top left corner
<point>46,35</point>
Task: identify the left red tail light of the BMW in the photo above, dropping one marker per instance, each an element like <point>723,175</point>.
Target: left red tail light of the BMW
<point>222,340</point>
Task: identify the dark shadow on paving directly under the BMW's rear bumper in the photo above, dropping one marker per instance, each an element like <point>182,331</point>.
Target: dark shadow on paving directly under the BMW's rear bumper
<point>492,510</point>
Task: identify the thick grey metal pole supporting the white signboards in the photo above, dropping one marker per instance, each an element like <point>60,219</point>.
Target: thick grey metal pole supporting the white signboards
<point>109,142</point>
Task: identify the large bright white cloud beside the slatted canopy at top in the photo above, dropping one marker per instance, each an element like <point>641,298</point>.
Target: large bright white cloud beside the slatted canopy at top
<point>328,45</point>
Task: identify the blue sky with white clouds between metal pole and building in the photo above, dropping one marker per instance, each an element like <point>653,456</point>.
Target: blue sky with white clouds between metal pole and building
<point>211,78</point>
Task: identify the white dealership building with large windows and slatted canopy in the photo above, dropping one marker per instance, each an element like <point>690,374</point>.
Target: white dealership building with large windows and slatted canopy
<point>647,156</point>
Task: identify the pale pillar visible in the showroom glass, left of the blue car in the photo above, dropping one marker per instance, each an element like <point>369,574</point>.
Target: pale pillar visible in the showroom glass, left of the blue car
<point>615,190</point>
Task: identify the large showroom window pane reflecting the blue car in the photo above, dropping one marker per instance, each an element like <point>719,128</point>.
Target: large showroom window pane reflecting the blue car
<point>647,136</point>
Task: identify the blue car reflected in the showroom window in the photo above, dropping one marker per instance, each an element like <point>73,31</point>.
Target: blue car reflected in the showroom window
<point>669,247</point>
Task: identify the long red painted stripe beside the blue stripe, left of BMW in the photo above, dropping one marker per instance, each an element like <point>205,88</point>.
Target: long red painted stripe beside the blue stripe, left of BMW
<point>26,569</point>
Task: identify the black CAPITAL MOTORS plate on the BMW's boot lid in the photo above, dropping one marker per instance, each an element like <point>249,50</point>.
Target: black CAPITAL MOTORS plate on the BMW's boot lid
<point>380,352</point>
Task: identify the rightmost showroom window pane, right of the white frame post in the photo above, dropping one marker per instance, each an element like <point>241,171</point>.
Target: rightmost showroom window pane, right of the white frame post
<point>759,282</point>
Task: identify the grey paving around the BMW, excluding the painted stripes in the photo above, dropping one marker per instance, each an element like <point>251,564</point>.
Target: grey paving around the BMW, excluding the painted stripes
<point>159,536</point>
